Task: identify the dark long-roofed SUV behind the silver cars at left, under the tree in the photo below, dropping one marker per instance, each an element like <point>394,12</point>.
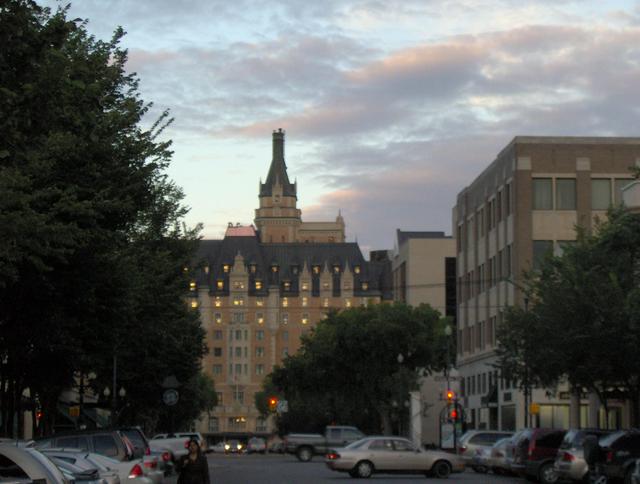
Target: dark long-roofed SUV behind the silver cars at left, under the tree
<point>111,443</point>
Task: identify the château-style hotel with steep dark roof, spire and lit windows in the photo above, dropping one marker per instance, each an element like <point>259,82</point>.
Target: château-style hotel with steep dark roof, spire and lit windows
<point>260,289</point>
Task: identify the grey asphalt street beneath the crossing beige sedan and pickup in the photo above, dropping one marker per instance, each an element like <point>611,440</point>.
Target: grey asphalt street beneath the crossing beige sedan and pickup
<point>285,469</point>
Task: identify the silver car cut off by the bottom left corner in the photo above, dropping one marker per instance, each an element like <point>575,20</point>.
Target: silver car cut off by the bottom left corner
<point>18,463</point>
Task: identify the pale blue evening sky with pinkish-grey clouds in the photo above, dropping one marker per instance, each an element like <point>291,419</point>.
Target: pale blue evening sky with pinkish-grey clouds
<point>390,107</point>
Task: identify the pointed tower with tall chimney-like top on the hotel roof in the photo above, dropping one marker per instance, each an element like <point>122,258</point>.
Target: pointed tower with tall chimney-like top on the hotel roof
<point>278,218</point>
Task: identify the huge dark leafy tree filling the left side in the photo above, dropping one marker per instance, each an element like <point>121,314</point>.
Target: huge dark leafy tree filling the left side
<point>92,248</point>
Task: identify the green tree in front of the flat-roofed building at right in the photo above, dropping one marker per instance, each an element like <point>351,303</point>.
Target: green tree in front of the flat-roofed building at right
<point>583,322</point>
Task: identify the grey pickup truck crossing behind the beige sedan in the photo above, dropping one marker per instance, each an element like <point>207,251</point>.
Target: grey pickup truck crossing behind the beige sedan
<point>305,446</point>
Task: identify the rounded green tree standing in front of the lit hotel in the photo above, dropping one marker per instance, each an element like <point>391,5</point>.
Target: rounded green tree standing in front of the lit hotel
<point>348,369</point>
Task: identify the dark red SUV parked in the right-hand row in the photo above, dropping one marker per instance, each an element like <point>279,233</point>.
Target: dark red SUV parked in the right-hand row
<point>535,453</point>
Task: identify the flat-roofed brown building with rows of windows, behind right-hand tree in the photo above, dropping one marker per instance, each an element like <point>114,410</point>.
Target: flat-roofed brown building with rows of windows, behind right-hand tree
<point>525,203</point>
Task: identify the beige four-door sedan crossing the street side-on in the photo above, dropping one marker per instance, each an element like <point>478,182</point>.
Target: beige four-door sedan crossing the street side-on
<point>391,455</point>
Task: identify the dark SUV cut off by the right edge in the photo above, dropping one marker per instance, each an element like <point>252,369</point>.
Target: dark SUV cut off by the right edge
<point>619,452</point>
